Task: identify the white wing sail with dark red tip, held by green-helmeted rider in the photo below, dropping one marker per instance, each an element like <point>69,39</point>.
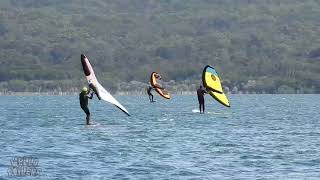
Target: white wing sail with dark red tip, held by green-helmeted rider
<point>102,92</point>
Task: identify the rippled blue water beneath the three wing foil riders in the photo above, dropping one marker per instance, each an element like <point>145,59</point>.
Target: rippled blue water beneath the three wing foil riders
<point>260,137</point>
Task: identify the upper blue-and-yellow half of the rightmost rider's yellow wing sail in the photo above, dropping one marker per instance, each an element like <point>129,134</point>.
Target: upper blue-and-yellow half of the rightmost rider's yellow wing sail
<point>211,79</point>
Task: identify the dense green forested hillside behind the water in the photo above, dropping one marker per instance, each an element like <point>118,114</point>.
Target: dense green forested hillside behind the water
<point>257,46</point>
